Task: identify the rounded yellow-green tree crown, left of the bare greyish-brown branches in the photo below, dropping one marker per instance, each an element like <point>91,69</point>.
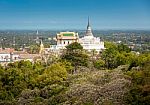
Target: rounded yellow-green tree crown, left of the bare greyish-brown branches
<point>54,74</point>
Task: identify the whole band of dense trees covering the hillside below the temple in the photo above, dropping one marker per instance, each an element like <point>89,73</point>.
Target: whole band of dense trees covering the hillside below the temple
<point>117,76</point>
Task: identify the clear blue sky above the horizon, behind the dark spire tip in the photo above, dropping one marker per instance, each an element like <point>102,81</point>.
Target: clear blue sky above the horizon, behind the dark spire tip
<point>73,14</point>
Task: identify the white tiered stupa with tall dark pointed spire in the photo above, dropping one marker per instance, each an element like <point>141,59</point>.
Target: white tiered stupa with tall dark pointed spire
<point>89,42</point>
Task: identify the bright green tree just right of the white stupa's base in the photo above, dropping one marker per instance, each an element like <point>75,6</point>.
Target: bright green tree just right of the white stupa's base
<point>116,55</point>
